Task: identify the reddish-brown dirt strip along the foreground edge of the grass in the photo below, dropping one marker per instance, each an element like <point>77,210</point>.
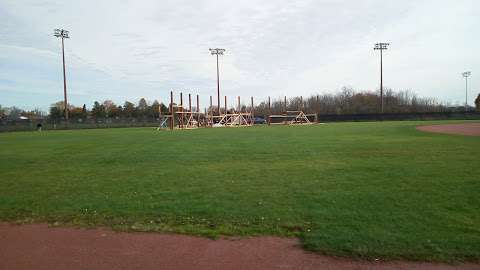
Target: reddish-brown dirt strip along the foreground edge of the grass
<point>41,247</point>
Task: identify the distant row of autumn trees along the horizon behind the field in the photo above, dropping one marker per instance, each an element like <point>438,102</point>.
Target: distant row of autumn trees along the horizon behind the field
<point>347,101</point>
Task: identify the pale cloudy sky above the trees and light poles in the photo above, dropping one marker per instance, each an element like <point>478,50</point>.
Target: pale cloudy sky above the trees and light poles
<point>125,50</point>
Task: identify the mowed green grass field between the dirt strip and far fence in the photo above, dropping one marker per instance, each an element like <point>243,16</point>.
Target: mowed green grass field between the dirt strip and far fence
<point>365,190</point>
